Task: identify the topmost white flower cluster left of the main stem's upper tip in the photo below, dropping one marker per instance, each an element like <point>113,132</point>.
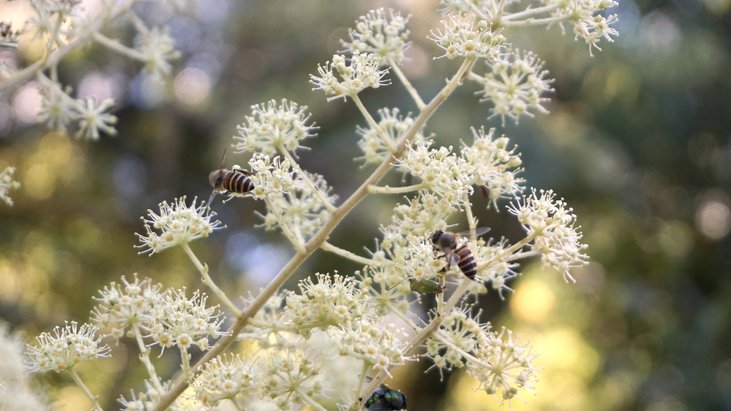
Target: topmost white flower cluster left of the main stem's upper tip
<point>380,32</point>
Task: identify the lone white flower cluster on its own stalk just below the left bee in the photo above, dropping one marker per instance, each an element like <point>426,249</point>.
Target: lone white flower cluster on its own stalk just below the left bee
<point>175,224</point>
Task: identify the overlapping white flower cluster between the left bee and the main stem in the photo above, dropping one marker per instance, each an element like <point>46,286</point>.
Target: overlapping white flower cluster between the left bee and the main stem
<point>298,202</point>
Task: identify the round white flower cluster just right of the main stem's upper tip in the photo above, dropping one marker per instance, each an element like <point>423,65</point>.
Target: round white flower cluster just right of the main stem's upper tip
<point>515,84</point>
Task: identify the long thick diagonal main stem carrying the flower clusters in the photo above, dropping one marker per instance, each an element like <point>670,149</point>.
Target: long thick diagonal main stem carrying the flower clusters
<point>180,383</point>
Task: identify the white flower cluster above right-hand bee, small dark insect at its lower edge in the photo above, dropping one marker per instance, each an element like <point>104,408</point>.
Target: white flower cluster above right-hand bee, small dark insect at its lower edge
<point>493,165</point>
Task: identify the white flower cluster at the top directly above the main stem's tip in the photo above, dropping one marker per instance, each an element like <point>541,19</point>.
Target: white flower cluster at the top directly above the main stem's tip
<point>463,36</point>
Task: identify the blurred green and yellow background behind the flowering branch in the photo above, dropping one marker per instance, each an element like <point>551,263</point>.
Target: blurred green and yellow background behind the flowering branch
<point>638,141</point>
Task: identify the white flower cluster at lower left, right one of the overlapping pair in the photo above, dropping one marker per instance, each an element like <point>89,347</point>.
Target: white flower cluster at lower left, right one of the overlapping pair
<point>176,320</point>
